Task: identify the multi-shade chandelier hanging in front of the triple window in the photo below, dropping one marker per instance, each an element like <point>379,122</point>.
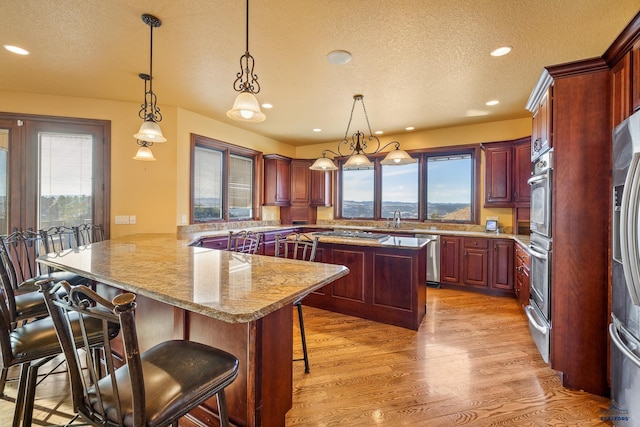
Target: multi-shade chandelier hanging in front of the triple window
<point>358,146</point>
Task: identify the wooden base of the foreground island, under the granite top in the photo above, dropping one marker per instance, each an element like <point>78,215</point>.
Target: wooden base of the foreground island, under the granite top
<point>261,395</point>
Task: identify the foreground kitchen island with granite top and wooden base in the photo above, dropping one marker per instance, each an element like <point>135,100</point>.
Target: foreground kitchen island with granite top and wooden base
<point>237,302</point>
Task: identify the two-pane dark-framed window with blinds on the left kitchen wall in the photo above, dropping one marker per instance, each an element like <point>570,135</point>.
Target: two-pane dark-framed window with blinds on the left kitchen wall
<point>223,184</point>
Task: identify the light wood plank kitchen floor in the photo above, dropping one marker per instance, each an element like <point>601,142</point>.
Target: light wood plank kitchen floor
<point>472,363</point>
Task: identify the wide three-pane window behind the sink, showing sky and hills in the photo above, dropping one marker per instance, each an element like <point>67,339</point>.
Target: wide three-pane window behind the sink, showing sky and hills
<point>440,187</point>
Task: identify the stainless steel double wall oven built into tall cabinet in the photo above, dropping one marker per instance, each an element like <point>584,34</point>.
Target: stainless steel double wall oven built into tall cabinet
<point>539,308</point>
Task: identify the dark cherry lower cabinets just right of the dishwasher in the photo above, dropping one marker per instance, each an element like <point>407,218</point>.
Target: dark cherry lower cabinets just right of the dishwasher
<point>477,263</point>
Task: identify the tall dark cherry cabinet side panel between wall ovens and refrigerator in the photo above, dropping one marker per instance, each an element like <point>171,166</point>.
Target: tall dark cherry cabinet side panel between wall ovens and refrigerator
<point>581,120</point>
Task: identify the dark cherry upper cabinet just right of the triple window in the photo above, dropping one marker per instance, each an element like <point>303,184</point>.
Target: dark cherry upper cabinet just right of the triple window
<point>508,167</point>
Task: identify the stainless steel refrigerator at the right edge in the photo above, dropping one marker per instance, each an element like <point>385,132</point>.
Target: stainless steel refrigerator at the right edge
<point>624,329</point>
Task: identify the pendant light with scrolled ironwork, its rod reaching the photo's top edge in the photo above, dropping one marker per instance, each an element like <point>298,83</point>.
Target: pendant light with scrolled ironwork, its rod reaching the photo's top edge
<point>246,107</point>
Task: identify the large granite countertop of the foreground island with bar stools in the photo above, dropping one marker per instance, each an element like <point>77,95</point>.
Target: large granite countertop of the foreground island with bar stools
<point>228,286</point>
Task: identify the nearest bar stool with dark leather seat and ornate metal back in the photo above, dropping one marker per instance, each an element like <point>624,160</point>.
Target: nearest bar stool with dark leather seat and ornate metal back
<point>154,388</point>
